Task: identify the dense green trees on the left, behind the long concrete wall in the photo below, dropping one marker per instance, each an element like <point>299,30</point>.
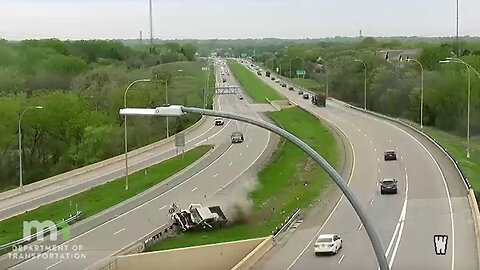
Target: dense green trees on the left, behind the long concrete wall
<point>80,85</point>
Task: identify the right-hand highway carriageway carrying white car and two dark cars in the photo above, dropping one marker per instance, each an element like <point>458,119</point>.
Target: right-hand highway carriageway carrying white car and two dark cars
<point>432,199</point>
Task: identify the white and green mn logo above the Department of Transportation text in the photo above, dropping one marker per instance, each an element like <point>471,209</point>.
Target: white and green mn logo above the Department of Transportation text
<point>46,226</point>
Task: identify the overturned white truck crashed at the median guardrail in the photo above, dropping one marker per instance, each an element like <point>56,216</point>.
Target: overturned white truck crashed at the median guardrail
<point>198,217</point>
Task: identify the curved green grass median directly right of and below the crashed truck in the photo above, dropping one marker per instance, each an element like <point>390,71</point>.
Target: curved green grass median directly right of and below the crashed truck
<point>290,180</point>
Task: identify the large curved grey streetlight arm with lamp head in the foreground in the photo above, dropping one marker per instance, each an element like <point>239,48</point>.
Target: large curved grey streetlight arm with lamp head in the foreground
<point>177,110</point>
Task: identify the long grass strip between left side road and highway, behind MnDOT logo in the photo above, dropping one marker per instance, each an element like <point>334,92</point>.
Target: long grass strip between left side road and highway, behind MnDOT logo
<point>100,197</point>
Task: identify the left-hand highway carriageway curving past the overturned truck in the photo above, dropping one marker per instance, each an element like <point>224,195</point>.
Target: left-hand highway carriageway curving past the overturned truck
<point>227,174</point>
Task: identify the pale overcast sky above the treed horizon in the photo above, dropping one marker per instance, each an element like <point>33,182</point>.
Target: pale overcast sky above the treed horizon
<point>205,19</point>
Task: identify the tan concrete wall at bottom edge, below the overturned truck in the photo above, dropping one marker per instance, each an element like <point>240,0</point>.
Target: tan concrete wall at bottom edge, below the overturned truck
<point>209,257</point>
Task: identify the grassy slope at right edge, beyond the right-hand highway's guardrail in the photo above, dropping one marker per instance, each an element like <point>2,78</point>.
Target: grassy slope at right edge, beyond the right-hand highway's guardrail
<point>457,146</point>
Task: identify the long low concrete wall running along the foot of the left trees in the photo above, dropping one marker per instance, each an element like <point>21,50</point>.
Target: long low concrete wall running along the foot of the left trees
<point>88,168</point>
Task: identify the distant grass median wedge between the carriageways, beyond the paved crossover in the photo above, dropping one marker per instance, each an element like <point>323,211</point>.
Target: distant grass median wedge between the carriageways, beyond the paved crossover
<point>256,89</point>
